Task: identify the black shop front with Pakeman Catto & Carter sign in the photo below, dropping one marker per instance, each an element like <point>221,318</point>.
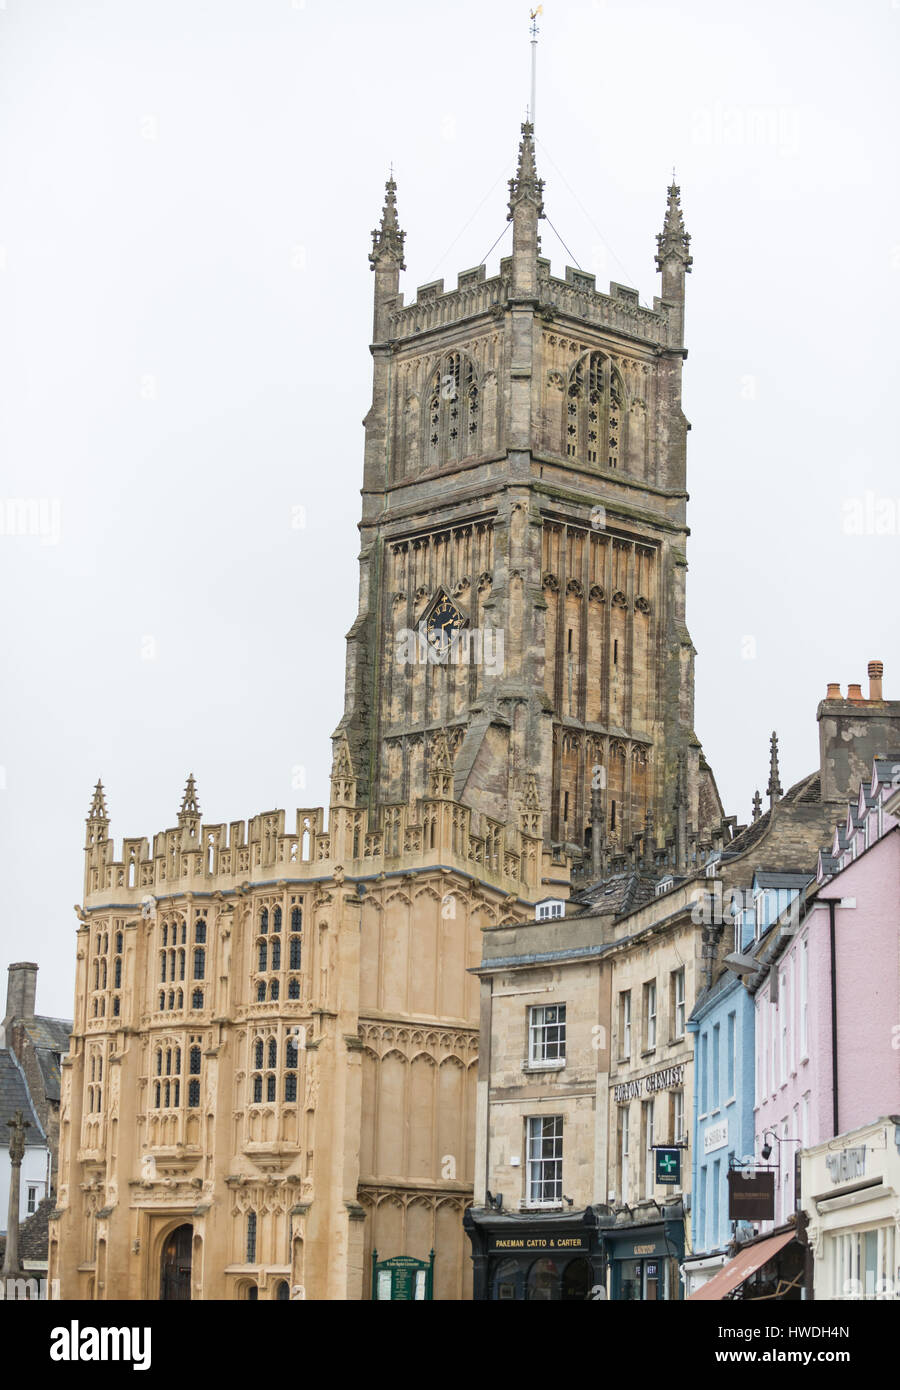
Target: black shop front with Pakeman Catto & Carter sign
<point>538,1257</point>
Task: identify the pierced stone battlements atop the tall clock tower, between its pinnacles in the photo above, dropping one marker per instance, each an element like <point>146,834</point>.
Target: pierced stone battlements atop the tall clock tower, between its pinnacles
<point>577,297</point>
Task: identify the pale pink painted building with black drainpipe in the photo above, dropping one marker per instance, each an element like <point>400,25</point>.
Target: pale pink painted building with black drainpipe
<point>828,1039</point>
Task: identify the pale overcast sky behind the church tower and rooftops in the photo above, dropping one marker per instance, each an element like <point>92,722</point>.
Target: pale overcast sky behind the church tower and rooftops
<point>187,194</point>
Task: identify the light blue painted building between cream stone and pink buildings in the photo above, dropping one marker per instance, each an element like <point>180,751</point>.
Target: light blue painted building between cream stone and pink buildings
<point>724,1028</point>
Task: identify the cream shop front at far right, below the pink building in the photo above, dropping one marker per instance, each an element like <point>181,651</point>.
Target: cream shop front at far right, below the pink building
<point>851,1191</point>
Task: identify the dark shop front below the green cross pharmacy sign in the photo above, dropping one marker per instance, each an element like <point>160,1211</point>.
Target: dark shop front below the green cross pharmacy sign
<point>645,1257</point>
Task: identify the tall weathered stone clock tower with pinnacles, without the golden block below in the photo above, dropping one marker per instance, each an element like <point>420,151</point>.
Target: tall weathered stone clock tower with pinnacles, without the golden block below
<point>524,548</point>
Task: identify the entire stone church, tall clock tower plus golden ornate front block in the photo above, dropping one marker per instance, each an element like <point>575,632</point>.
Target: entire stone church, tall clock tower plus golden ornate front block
<point>276,1029</point>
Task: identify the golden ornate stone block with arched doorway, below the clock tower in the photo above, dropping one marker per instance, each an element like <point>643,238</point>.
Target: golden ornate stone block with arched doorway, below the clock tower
<point>276,1045</point>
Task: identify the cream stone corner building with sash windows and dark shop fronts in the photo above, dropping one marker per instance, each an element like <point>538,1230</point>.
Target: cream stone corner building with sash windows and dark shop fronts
<point>586,1067</point>
